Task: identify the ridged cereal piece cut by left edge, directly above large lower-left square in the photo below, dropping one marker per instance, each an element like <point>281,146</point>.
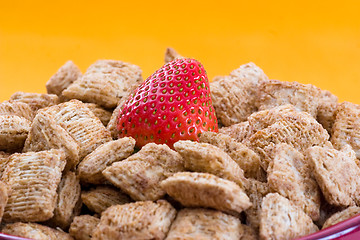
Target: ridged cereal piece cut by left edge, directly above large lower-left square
<point>13,132</point>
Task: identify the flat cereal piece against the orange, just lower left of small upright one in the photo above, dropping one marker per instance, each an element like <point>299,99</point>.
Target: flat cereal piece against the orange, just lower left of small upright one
<point>36,100</point>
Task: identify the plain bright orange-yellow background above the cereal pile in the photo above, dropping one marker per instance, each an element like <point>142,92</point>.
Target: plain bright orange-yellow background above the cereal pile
<point>314,42</point>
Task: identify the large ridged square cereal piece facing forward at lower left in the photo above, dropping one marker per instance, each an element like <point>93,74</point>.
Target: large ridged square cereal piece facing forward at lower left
<point>33,179</point>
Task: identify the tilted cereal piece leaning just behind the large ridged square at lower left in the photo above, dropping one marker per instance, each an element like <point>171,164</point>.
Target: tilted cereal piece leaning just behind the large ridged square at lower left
<point>46,134</point>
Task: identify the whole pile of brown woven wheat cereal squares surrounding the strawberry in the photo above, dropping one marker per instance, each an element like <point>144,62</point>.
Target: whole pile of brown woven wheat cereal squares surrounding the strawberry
<point>284,163</point>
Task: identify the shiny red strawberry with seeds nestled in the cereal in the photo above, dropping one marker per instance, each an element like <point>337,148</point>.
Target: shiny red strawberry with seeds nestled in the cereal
<point>173,104</point>
